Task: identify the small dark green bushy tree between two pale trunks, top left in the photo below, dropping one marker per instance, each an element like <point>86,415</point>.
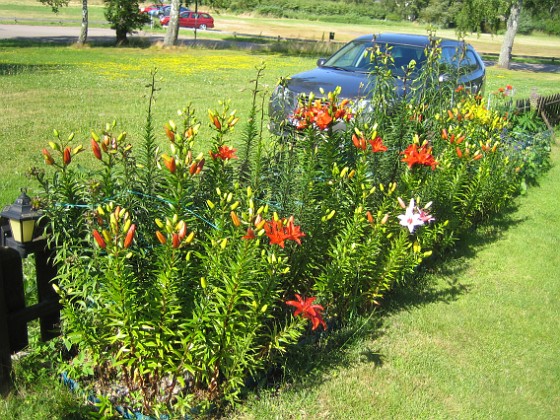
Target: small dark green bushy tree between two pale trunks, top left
<point>124,17</point>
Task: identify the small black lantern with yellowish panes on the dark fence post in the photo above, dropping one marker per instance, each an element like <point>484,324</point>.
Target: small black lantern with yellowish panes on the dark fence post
<point>22,218</point>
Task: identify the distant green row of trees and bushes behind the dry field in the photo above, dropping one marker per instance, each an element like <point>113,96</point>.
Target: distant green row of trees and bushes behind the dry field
<point>537,15</point>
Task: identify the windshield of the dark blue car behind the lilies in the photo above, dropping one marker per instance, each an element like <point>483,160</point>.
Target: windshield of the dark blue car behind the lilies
<point>363,56</point>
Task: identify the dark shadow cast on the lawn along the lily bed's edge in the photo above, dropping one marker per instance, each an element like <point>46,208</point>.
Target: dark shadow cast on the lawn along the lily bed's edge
<point>309,363</point>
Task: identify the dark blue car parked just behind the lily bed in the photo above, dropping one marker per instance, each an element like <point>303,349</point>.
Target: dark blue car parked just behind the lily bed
<point>351,66</point>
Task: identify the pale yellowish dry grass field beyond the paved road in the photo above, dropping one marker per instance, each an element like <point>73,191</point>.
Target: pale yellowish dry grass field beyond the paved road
<point>310,29</point>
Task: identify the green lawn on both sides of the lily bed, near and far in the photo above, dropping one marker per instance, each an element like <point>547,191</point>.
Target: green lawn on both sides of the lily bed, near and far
<point>476,342</point>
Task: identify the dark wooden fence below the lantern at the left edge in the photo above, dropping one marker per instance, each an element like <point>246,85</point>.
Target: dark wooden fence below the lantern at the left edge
<point>14,314</point>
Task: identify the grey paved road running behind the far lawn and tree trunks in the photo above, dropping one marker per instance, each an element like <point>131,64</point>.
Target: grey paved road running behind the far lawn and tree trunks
<point>69,35</point>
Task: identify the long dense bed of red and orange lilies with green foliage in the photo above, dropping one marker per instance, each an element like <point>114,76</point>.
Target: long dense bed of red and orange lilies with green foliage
<point>175,266</point>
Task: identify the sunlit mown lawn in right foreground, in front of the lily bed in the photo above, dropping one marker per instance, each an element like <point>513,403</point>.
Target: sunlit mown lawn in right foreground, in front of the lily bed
<point>479,340</point>
